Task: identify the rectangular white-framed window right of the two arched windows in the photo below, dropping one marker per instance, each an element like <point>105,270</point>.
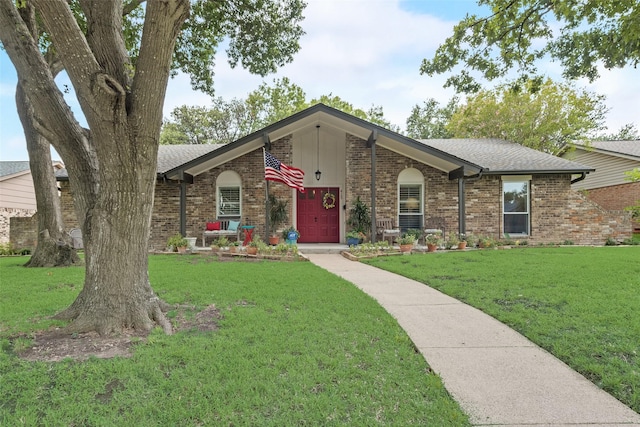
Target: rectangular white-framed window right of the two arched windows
<point>515,205</point>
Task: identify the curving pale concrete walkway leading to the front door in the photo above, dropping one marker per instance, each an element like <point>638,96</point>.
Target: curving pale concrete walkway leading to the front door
<point>497,376</point>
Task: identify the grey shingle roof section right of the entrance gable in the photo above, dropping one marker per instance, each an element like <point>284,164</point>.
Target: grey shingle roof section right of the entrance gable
<point>499,156</point>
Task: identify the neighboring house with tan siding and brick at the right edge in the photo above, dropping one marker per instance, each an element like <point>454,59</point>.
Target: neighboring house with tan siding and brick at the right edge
<point>608,185</point>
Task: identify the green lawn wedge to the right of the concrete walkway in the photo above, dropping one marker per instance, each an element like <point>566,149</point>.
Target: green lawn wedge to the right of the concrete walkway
<point>581,304</point>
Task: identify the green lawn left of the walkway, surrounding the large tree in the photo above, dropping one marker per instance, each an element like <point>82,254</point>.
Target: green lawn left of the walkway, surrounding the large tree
<point>296,346</point>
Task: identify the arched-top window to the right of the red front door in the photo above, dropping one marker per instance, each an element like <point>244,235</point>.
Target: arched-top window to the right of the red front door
<point>410,200</point>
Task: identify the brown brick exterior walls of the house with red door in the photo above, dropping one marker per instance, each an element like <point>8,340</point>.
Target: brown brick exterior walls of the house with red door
<point>557,212</point>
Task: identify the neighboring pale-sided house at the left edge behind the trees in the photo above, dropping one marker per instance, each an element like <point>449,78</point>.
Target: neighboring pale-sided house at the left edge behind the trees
<point>17,194</point>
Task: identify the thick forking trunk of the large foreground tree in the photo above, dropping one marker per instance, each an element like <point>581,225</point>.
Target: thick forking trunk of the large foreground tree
<point>112,167</point>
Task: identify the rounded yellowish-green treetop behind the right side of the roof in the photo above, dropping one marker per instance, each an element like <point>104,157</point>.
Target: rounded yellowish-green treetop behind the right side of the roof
<point>548,120</point>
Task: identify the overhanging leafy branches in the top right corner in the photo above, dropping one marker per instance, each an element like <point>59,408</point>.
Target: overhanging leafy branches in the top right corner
<point>581,35</point>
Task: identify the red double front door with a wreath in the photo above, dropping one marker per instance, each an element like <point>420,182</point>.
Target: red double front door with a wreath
<point>318,215</point>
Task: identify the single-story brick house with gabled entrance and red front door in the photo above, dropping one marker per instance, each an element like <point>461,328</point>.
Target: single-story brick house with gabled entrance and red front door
<point>479,186</point>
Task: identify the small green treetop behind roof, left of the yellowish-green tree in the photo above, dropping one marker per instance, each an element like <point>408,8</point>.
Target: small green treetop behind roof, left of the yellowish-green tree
<point>430,121</point>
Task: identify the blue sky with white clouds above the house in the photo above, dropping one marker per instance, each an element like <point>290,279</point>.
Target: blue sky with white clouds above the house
<point>367,52</point>
